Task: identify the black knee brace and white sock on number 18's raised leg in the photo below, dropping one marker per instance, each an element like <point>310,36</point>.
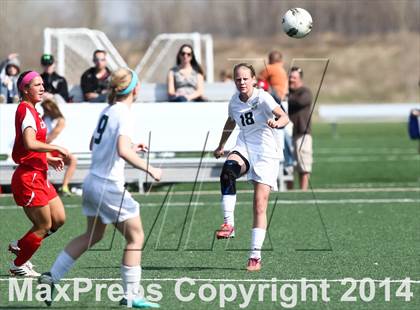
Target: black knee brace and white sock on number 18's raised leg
<point>230,172</point>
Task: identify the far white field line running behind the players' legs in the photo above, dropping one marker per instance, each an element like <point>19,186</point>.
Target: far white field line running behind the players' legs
<point>282,202</point>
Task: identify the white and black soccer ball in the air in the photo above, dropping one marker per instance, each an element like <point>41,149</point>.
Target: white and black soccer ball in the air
<point>297,23</point>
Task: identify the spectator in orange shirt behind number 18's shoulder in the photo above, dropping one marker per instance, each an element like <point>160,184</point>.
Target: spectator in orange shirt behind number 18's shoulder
<point>275,75</point>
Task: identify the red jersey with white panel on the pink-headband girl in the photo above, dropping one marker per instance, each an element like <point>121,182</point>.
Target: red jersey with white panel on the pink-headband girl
<point>27,116</point>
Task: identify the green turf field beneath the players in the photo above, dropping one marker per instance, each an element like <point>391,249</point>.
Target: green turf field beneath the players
<point>361,221</point>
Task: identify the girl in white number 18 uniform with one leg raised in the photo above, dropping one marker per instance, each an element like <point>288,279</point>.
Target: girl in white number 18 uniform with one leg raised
<point>257,152</point>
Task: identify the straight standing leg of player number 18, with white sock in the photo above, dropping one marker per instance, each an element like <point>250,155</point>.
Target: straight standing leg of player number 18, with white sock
<point>261,195</point>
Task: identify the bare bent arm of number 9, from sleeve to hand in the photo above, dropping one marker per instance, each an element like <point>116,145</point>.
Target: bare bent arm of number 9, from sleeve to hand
<point>125,150</point>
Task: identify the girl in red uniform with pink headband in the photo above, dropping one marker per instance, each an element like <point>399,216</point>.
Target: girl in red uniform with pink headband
<point>30,187</point>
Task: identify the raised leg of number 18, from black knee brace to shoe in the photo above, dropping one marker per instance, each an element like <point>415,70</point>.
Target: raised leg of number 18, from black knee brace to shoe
<point>233,168</point>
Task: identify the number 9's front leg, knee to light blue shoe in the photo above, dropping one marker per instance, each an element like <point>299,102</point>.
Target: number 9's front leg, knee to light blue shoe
<point>132,230</point>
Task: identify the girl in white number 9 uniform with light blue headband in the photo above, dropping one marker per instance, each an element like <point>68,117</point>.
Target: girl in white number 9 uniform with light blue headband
<point>105,200</point>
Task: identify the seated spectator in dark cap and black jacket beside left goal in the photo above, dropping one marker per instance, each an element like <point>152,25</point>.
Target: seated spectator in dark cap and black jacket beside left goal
<point>54,84</point>
